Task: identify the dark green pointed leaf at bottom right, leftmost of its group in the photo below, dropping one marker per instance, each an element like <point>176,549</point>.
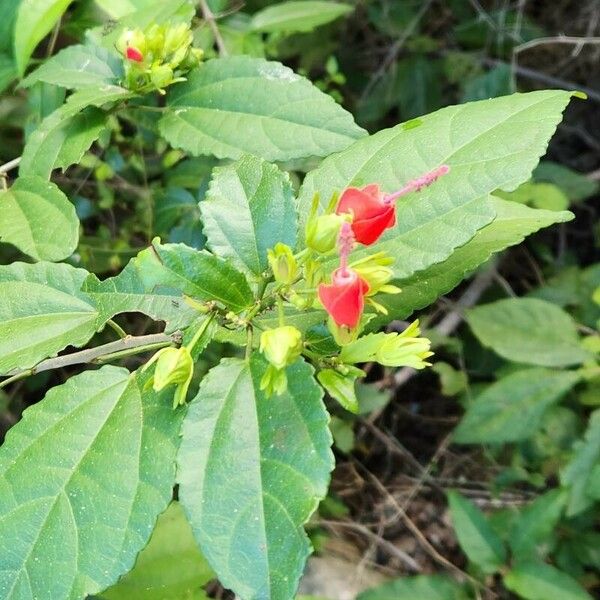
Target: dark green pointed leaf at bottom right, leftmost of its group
<point>475,535</point>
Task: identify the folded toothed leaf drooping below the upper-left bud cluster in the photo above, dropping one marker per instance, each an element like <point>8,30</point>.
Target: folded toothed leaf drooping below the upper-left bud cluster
<point>65,135</point>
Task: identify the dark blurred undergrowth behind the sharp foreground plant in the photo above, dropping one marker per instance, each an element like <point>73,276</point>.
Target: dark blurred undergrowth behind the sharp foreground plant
<point>507,421</point>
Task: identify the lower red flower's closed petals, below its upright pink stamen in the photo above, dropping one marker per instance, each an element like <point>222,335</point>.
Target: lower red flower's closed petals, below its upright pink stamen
<point>344,298</point>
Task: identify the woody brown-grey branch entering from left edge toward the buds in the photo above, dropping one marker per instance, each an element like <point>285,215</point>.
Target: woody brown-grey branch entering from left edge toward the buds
<point>127,345</point>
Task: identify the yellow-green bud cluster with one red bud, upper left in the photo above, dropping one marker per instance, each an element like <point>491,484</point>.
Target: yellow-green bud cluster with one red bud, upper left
<point>157,57</point>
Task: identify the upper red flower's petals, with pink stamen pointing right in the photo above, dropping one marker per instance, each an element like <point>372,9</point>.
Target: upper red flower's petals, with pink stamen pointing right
<point>371,212</point>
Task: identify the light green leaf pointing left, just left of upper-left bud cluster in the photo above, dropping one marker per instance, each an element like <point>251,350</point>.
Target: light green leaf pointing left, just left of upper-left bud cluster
<point>79,67</point>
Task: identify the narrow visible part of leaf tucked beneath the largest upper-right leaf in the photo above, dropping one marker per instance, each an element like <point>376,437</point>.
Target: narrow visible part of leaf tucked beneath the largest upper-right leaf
<point>512,224</point>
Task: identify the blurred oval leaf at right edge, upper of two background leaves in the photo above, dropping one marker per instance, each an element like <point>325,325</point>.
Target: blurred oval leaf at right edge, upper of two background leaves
<point>529,331</point>
